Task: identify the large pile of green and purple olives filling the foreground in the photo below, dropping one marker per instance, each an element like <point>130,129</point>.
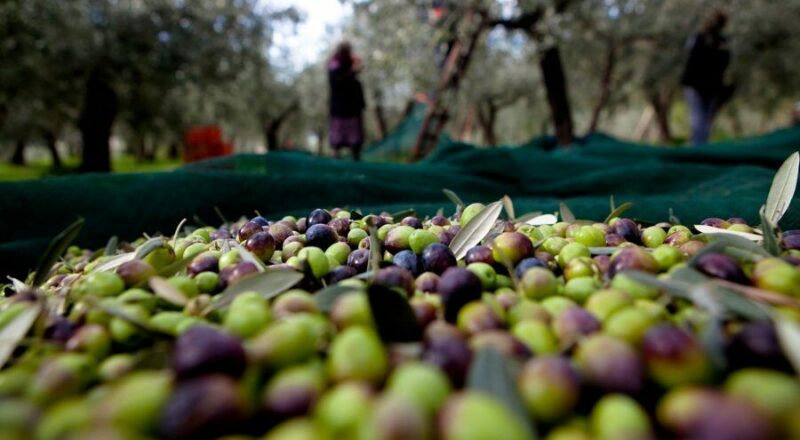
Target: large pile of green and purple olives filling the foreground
<point>164,337</point>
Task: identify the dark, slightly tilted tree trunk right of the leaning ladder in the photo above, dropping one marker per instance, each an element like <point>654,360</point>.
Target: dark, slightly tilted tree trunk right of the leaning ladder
<point>557,97</point>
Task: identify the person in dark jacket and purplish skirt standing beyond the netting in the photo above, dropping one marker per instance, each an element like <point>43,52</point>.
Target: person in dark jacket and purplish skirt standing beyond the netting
<point>346,127</point>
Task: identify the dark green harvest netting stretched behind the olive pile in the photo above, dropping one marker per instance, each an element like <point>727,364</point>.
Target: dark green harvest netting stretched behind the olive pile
<point>723,180</point>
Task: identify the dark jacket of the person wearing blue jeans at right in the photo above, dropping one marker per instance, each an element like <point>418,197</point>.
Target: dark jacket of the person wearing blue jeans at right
<point>708,58</point>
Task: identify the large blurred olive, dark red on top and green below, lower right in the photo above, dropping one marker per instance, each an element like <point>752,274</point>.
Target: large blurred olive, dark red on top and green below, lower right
<point>674,357</point>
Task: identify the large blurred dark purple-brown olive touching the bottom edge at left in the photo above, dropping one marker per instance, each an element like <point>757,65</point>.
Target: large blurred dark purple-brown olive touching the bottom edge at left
<point>203,408</point>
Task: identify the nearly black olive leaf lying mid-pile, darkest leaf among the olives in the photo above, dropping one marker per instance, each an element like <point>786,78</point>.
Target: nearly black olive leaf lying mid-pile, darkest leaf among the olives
<point>393,316</point>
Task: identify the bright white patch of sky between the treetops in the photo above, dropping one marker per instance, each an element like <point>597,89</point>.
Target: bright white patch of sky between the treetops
<point>298,46</point>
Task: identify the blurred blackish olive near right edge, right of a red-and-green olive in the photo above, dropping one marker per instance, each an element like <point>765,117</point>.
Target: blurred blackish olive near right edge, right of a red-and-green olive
<point>756,345</point>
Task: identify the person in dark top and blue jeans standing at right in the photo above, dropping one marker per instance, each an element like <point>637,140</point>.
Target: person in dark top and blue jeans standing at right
<point>703,77</point>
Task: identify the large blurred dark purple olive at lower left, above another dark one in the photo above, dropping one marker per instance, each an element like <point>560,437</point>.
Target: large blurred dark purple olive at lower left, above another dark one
<point>203,350</point>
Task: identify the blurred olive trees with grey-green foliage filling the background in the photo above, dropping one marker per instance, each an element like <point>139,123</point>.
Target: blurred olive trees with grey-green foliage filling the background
<point>148,70</point>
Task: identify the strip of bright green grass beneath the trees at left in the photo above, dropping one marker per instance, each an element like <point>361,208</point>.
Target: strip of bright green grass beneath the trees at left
<point>122,164</point>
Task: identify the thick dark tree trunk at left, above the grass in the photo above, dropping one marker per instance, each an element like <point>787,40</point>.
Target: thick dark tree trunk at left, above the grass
<point>97,120</point>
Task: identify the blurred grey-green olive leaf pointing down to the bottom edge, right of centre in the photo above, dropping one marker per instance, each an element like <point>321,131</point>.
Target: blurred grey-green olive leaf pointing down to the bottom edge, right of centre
<point>490,373</point>
